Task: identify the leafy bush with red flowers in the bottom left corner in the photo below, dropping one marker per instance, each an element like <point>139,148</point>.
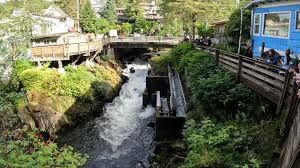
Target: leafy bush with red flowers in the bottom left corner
<point>31,150</point>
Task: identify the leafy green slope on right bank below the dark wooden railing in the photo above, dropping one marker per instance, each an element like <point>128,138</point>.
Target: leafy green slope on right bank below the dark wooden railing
<point>228,125</point>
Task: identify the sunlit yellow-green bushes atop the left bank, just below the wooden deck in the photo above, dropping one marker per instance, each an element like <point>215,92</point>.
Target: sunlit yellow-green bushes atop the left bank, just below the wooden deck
<point>77,82</point>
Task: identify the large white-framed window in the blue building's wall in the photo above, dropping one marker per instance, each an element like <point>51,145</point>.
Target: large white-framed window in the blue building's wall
<point>277,24</point>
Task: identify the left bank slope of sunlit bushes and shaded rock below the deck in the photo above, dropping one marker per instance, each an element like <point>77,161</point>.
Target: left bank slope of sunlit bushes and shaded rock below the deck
<point>53,99</point>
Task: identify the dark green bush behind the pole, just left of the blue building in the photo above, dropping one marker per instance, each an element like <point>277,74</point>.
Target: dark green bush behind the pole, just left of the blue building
<point>232,27</point>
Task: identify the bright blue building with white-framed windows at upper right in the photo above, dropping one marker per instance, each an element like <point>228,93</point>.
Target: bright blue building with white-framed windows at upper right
<point>277,24</point>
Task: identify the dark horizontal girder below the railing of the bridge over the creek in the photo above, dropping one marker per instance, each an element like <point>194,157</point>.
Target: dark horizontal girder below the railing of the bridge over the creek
<point>140,45</point>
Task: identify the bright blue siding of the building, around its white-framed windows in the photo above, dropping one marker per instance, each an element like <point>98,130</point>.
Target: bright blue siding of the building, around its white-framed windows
<point>277,43</point>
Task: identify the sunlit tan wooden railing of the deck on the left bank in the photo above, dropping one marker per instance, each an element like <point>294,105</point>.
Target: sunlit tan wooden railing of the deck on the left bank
<point>64,51</point>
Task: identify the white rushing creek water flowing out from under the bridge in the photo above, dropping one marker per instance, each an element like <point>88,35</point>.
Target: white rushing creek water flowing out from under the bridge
<point>120,138</point>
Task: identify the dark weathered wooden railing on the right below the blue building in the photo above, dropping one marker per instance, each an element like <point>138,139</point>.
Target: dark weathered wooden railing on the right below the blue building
<point>272,82</point>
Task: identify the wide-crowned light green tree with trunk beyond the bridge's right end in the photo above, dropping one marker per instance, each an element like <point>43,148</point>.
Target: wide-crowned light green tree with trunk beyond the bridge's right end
<point>191,11</point>
